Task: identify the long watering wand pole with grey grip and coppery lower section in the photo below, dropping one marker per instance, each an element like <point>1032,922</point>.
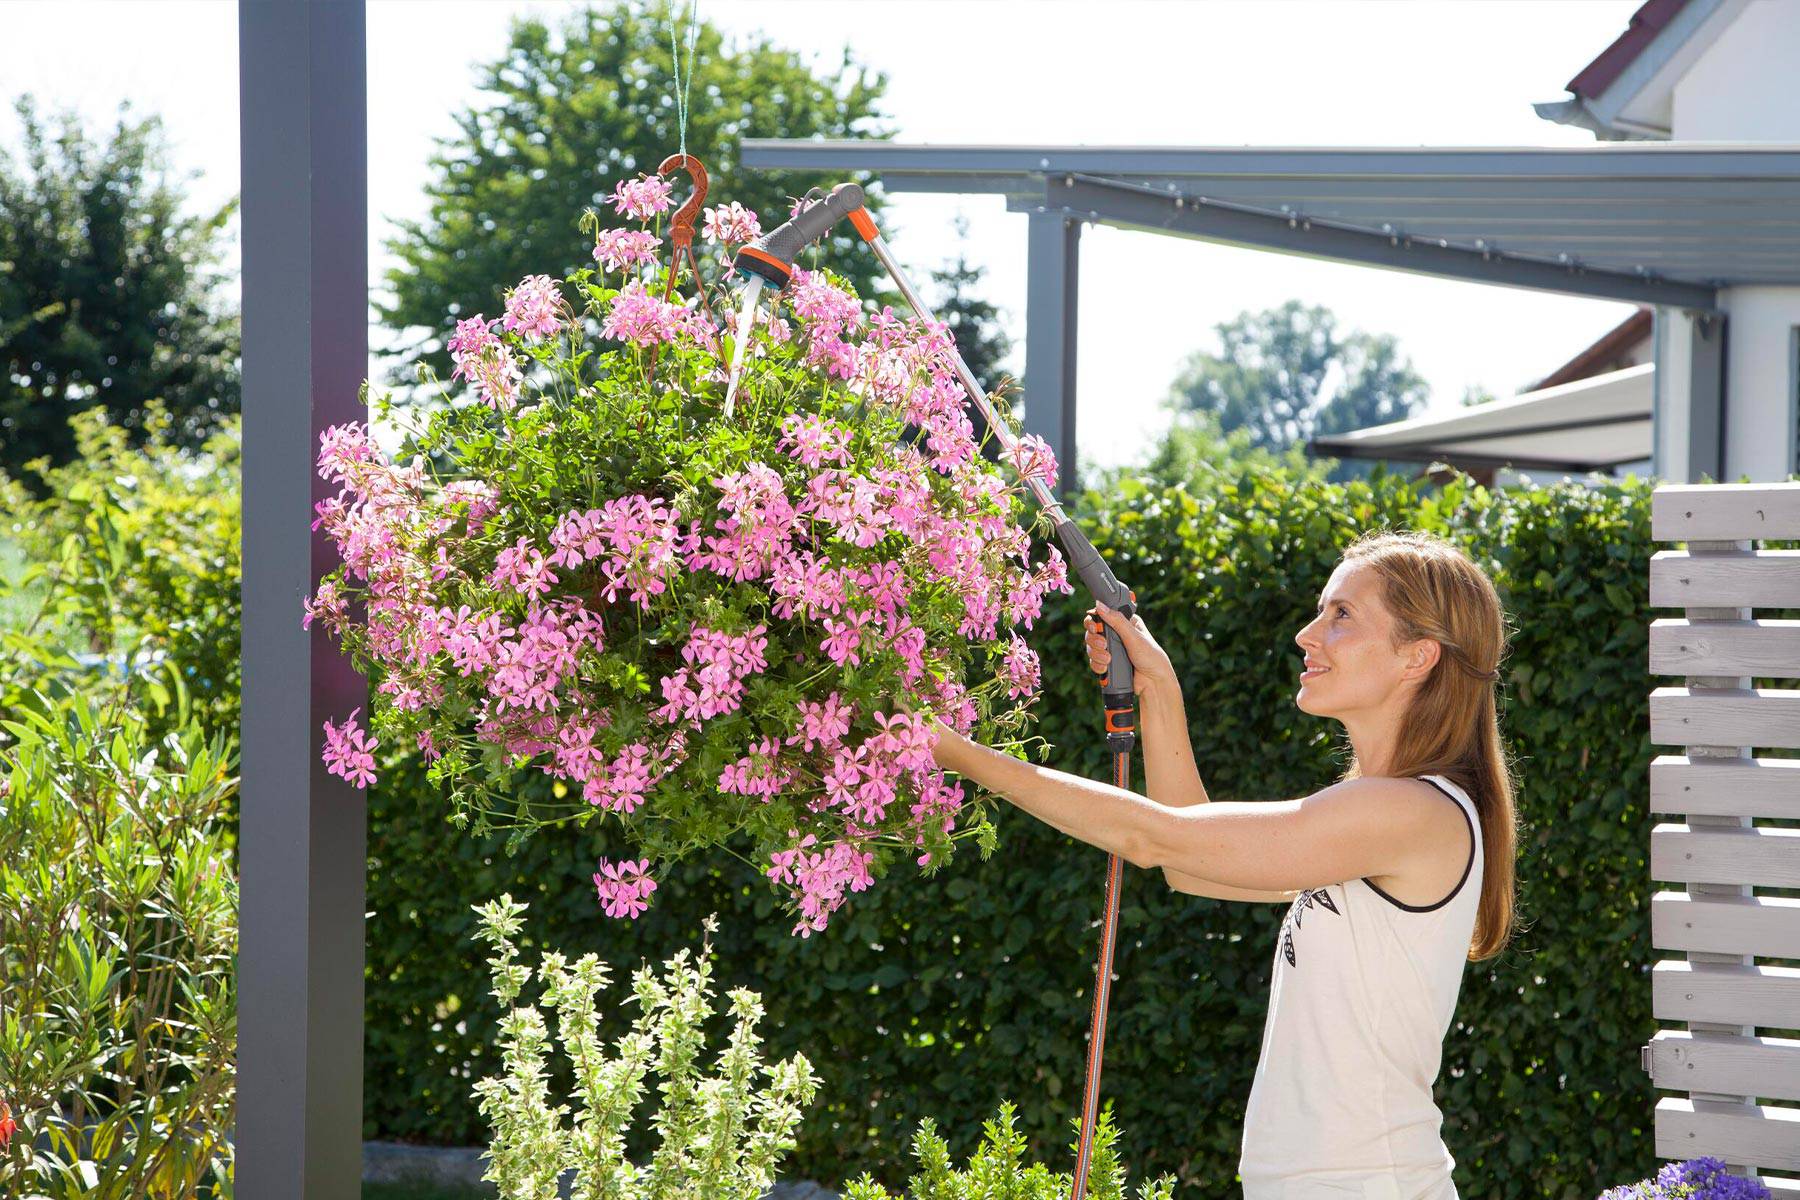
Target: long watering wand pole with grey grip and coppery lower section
<point>1119,697</point>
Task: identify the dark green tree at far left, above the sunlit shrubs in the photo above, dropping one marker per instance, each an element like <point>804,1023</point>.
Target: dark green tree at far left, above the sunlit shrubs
<point>109,294</point>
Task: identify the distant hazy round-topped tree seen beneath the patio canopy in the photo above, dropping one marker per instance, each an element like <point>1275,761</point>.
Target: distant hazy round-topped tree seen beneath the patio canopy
<point>1288,373</point>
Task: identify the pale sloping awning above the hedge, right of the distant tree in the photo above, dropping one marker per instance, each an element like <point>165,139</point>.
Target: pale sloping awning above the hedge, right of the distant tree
<point>1588,425</point>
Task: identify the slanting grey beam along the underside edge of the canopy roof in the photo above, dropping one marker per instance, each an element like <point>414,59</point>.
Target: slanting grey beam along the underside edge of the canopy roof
<point>1189,217</point>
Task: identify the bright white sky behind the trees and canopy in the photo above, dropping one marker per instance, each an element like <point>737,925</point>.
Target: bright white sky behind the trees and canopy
<point>1340,73</point>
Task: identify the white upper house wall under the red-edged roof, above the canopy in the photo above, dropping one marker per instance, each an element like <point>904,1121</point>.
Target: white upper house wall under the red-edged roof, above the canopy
<point>1743,85</point>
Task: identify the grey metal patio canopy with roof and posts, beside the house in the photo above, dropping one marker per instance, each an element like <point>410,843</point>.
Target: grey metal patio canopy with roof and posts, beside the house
<point>1660,224</point>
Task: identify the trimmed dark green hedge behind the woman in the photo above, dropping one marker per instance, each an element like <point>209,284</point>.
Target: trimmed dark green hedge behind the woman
<point>942,998</point>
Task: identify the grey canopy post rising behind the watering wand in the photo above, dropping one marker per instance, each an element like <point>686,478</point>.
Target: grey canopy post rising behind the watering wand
<point>1050,310</point>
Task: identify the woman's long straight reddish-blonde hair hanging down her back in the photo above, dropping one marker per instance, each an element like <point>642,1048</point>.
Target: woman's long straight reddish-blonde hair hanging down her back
<point>1453,724</point>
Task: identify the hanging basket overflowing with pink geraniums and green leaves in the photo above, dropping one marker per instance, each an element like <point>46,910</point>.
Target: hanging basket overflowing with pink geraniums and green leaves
<point>706,632</point>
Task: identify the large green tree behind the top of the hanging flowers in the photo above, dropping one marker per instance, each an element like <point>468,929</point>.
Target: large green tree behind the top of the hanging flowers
<point>566,116</point>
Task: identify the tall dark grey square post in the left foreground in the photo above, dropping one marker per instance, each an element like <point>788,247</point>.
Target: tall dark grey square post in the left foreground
<point>303,105</point>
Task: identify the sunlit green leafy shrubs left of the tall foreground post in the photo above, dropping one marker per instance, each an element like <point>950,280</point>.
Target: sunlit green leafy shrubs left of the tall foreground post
<point>118,895</point>
